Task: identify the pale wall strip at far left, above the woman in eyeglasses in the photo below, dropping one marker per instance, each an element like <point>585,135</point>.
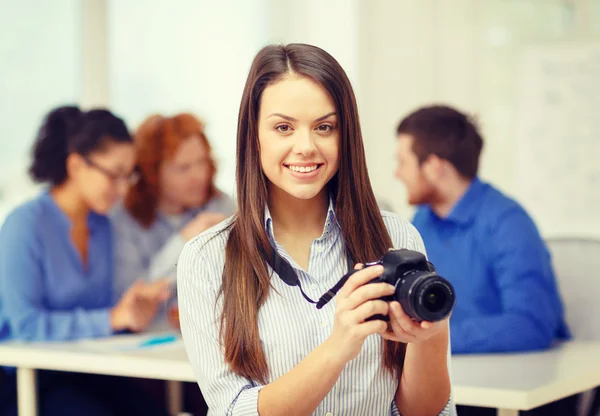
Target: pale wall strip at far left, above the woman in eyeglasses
<point>39,69</point>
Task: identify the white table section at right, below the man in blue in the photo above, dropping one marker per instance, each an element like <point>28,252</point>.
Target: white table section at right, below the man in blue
<point>513,382</point>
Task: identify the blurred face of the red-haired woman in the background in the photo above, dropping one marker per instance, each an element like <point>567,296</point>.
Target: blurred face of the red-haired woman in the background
<point>185,179</point>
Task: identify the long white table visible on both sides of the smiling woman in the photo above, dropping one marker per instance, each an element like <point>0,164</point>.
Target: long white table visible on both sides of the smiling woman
<point>508,382</point>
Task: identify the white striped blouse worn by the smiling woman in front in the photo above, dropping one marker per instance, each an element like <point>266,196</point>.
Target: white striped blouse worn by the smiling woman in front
<point>290,328</point>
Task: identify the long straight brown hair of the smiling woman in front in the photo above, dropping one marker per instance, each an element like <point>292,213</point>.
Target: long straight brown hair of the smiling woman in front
<point>246,280</point>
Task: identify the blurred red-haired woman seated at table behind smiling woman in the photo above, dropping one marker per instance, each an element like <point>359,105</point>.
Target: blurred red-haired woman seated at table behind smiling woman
<point>174,199</point>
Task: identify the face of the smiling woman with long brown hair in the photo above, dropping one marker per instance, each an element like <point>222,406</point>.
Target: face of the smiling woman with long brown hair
<point>299,137</point>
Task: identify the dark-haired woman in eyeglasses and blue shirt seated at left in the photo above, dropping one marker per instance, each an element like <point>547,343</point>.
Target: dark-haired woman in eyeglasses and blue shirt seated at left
<point>56,262</point>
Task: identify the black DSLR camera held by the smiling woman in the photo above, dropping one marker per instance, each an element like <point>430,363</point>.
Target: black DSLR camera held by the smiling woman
<point>423,295</point>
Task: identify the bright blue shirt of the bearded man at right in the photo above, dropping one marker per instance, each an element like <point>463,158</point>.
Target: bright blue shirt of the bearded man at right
<point>490,250</point>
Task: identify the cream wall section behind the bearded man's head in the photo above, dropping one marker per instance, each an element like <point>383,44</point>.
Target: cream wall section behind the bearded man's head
<point>465,53</point>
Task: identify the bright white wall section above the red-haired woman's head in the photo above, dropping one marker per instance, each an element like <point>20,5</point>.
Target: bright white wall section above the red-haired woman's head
<point>185,55</point>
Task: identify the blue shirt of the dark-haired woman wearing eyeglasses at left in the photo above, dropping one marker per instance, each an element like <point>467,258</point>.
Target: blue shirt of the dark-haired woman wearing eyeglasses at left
<point>46,292</point>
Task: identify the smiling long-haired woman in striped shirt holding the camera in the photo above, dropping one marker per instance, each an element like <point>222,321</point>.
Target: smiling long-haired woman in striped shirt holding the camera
<point>256,345</point>
